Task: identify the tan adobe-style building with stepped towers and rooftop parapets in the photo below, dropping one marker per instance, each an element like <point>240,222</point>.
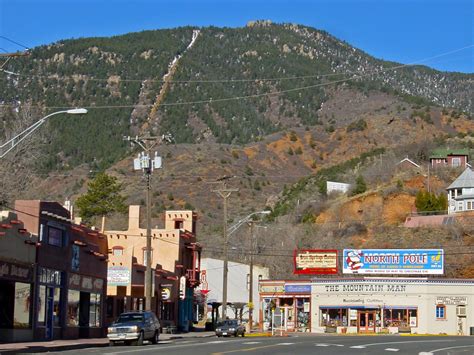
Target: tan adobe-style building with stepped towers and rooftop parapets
<point>175,254</point>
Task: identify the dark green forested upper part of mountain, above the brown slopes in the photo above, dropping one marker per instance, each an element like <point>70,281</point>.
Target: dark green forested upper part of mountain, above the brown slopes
<point>124,77</point>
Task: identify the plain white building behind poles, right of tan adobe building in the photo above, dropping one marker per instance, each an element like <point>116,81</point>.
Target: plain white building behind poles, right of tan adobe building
<point>237,284</point>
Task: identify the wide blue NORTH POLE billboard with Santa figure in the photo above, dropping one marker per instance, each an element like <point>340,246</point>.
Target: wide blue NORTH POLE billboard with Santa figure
<point>393,261</point>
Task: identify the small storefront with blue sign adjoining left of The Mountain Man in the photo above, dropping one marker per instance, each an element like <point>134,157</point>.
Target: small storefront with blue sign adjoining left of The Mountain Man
<point>291,300</point>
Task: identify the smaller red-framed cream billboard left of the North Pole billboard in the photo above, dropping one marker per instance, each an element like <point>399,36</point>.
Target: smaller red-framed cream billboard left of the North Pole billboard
<point>315,262</point>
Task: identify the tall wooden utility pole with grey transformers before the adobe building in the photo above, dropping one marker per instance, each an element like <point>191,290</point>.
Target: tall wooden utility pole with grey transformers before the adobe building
<point>147,164</point>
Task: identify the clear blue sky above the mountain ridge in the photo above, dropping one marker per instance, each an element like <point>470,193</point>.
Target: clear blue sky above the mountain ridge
<point>404,31</point>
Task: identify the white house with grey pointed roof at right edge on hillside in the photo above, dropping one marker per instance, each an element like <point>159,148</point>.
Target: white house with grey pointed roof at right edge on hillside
<point>461,193</point>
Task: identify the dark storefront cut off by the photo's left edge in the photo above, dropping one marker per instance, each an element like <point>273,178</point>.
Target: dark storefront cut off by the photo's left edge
<point>17,259</point>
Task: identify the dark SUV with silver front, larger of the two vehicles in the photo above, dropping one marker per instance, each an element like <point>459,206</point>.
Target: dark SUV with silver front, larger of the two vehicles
<point>134,327</point>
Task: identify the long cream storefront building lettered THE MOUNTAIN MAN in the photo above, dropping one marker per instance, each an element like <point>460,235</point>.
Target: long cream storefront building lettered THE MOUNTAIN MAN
<point>393,305</point>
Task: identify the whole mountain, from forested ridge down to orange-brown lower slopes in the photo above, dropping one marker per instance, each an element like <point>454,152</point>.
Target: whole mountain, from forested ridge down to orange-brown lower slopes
<point>281,108</point>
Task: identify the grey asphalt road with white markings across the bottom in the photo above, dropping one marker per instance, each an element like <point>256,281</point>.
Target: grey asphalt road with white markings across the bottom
<point>306,344</point>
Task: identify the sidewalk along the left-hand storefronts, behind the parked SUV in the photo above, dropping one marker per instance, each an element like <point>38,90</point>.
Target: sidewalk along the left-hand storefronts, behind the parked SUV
<point>60,345</point>
